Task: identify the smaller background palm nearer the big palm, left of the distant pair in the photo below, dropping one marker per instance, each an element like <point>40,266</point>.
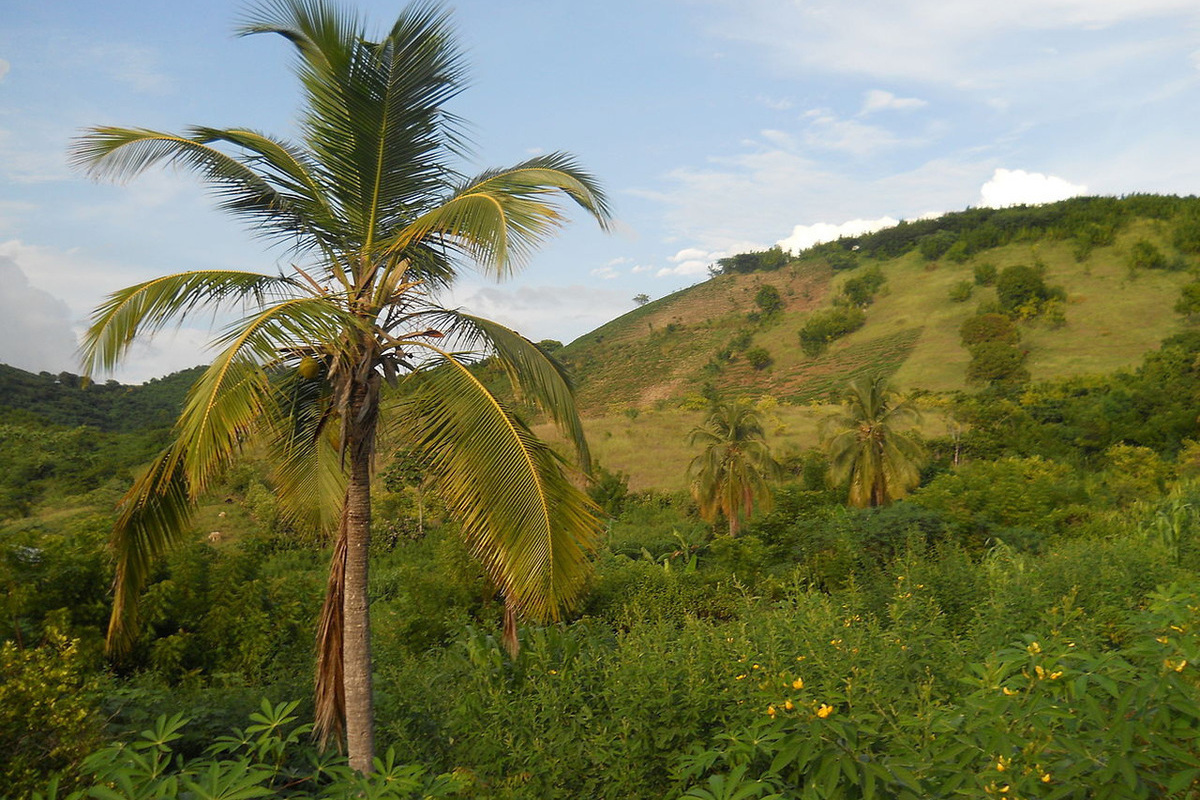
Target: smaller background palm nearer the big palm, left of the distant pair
<point>734,472</point>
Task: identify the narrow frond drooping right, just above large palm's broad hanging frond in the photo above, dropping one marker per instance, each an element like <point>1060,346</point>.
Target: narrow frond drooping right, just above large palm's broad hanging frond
<point>535,375</point>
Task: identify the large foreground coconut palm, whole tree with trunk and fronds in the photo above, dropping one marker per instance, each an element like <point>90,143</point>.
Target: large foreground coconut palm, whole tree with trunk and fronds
<point>377,221</point>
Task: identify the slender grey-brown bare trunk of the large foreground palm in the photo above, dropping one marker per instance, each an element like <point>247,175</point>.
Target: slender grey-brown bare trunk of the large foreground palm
<point>357,647</point>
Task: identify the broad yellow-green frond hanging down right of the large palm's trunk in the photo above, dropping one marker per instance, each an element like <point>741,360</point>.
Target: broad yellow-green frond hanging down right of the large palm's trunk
<point>530,526</point>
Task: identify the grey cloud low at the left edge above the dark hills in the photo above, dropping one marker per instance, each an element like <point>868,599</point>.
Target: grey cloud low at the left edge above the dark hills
<point>35,327</point>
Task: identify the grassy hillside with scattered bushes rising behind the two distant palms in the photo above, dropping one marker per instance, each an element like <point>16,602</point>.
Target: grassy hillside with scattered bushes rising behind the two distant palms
<point>1120,264</point>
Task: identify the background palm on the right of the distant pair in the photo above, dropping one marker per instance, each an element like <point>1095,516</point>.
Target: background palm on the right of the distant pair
<point>868,447</point>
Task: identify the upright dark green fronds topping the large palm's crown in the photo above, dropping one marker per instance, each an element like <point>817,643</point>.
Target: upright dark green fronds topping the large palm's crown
<point>376,121</point>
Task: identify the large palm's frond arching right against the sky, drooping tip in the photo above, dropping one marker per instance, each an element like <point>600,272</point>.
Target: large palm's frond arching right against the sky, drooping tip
<point>501,216</point>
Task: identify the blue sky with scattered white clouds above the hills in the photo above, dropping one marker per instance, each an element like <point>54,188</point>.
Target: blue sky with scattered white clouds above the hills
<point>716,125</point>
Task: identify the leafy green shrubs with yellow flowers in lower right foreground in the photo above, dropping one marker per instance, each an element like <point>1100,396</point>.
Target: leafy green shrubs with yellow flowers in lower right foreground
<point>1045,720</point>
